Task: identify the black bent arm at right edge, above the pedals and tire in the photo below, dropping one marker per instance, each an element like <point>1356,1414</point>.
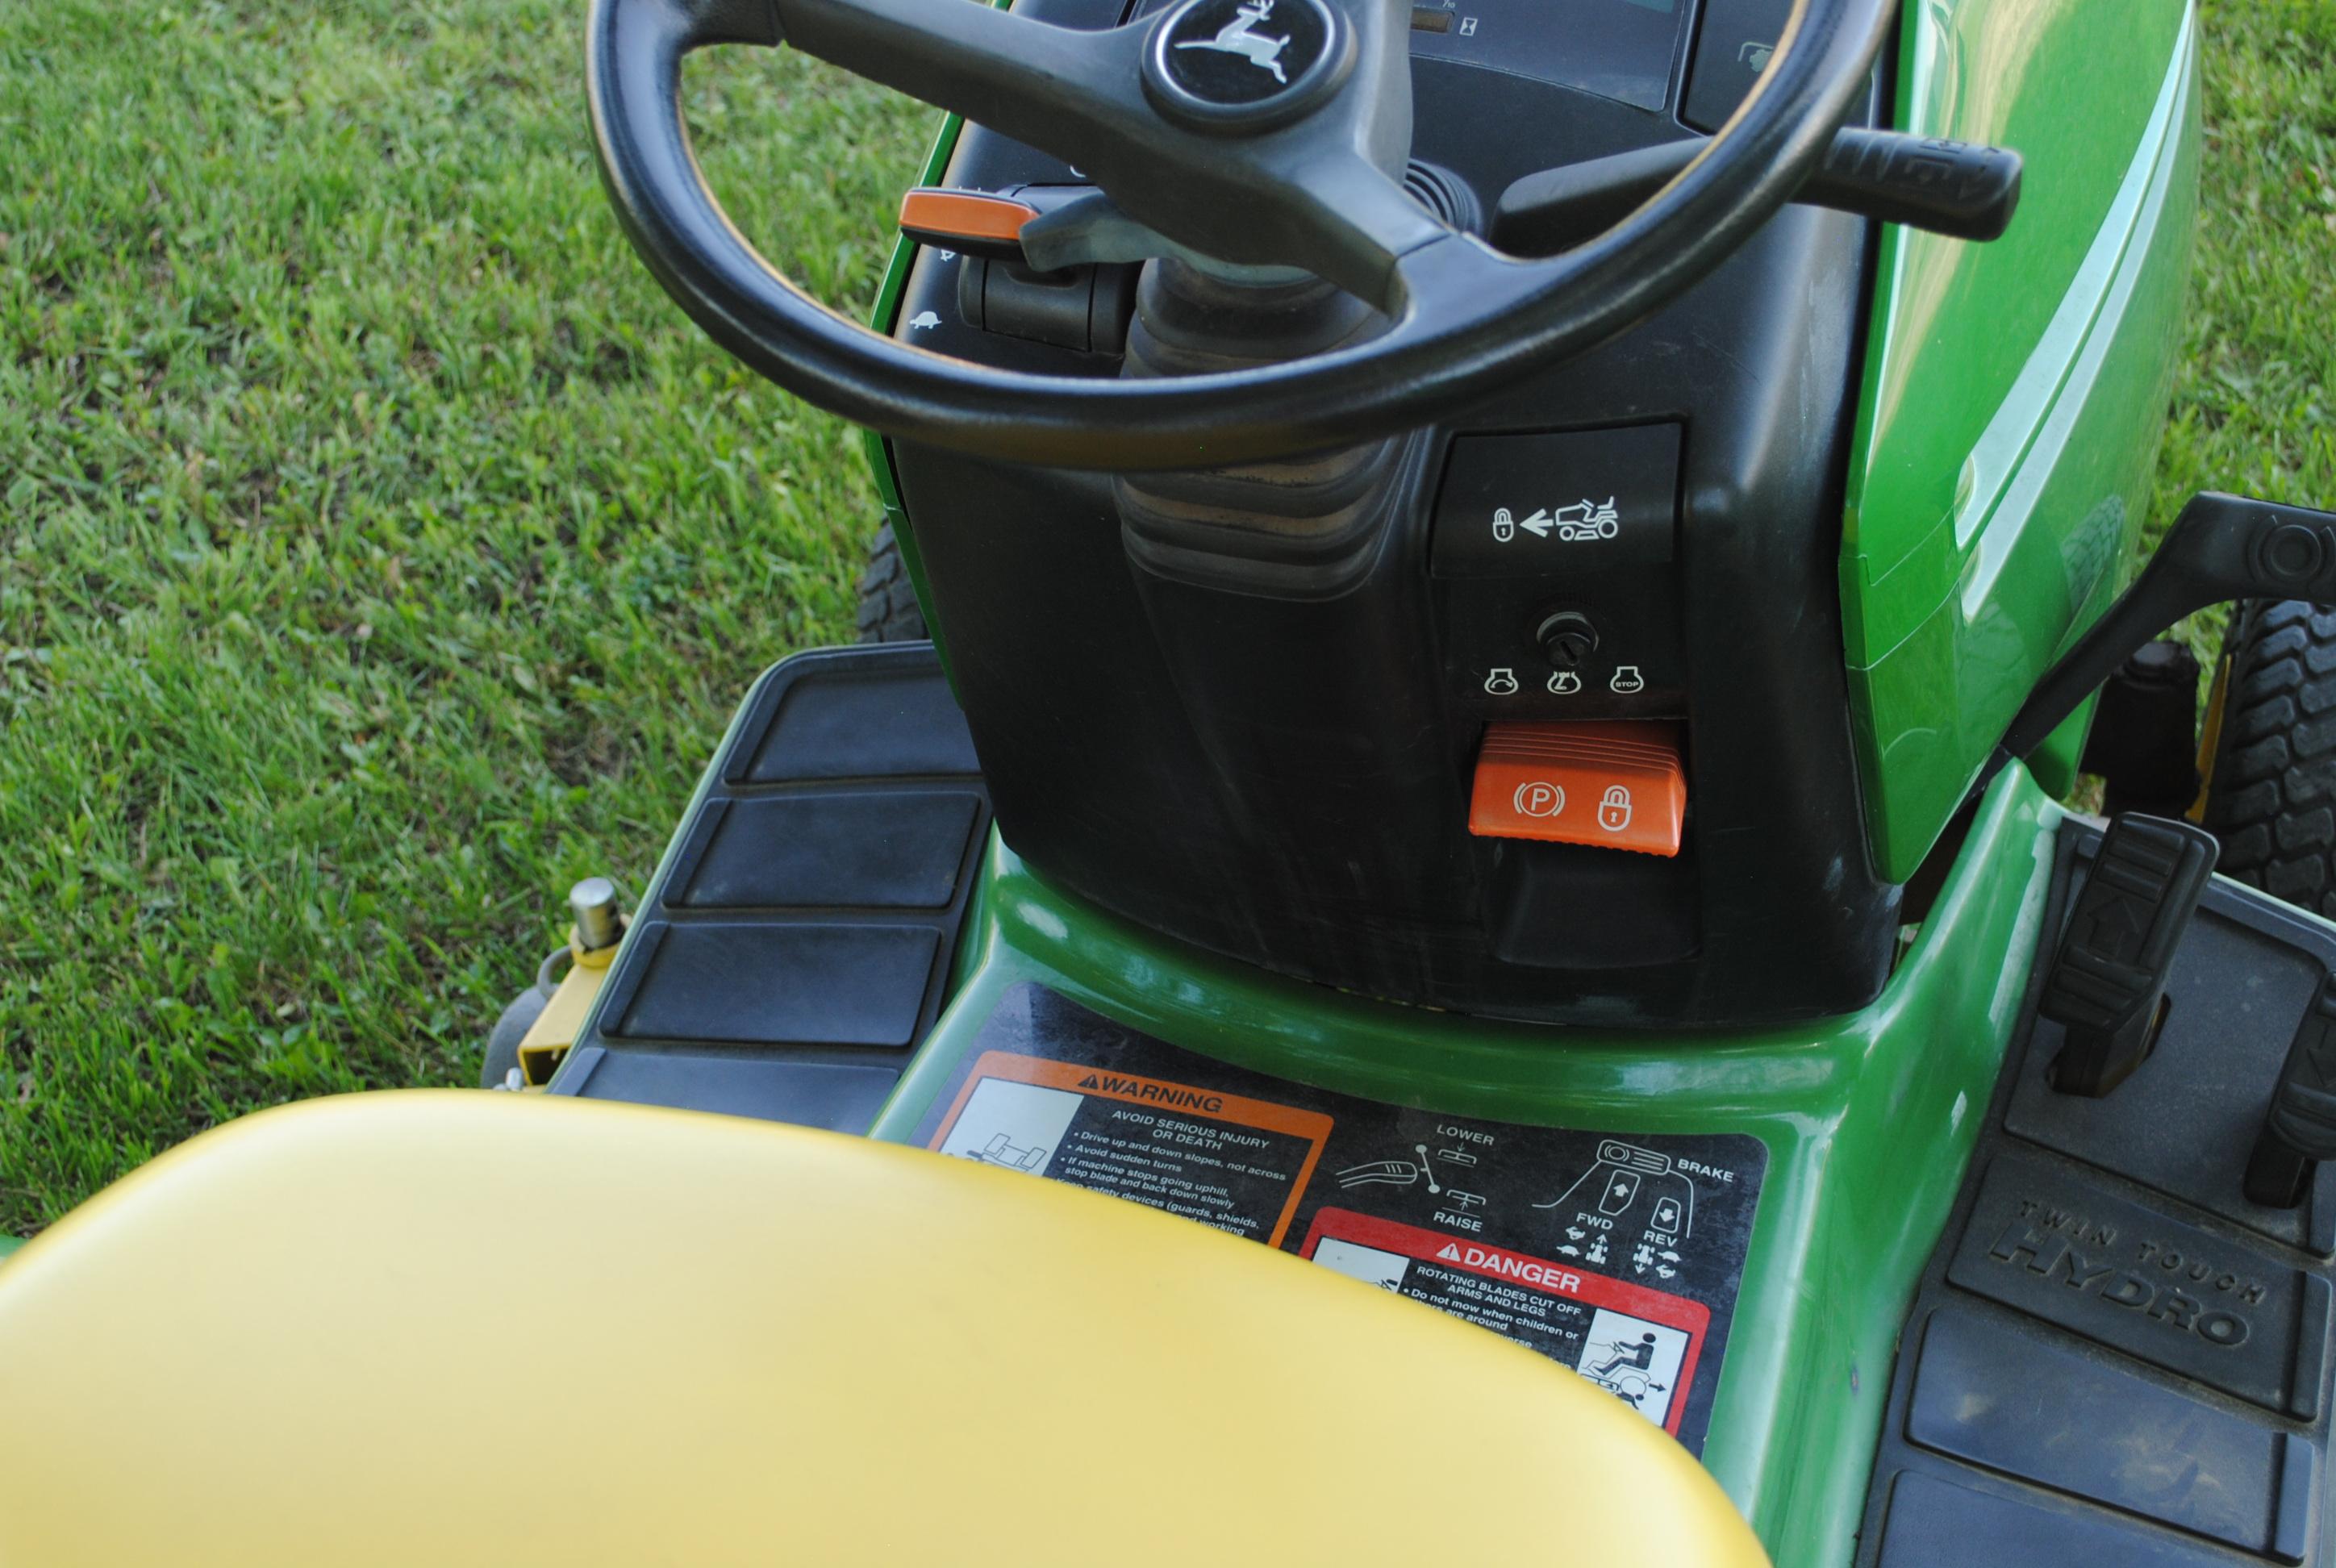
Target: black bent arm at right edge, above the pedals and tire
<point>2220,548</point>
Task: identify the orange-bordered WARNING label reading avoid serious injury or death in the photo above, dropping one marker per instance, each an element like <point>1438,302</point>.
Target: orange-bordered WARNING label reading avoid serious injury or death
<point>1218,1158</point>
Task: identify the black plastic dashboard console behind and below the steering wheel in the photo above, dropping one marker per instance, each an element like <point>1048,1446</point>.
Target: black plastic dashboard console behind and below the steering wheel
<point>1244,709</point>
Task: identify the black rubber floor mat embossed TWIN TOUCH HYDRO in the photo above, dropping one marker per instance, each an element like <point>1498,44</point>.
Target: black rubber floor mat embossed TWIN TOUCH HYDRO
<point>2115,1357</point>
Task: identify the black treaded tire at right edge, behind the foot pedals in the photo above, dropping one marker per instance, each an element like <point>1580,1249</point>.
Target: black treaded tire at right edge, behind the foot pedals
<point>2272,798</point>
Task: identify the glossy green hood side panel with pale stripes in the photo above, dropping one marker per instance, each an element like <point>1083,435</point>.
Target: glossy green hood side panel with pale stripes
<point>2015,391</point>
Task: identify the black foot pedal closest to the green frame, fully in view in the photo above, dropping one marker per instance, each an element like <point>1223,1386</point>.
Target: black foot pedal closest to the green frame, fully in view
<point>2108,983</point>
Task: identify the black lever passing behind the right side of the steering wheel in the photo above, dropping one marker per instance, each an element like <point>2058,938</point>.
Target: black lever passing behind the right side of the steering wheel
<point>1938,186</point>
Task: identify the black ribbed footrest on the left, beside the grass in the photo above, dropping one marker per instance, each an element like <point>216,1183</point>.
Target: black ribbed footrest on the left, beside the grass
<point>798,941</point>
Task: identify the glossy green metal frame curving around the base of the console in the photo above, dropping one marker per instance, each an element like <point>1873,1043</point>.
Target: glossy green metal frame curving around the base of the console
<point>1870,1123</point>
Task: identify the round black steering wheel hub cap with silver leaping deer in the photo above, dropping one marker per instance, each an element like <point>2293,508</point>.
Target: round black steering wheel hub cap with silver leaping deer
<point>1246,64</point>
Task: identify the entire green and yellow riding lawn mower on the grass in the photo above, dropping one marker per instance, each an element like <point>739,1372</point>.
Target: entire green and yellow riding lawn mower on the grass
<point>1461,941</point>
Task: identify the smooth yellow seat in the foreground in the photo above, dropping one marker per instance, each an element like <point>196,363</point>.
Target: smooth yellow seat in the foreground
<point>492,1328</point>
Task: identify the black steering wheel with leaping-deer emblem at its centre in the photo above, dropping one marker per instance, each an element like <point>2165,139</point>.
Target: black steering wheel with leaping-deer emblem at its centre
<point>1256,132</point>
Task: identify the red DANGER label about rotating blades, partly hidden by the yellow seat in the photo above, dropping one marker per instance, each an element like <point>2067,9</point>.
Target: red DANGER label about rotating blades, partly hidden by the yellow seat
<point>1634,1342</point>
